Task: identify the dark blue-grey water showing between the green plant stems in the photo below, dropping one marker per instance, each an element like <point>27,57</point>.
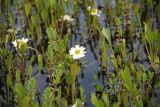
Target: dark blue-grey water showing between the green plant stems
<point>92,65</point>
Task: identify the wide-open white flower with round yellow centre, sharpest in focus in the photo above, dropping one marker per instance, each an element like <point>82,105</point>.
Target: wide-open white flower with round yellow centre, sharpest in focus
<point>77,52</point>
